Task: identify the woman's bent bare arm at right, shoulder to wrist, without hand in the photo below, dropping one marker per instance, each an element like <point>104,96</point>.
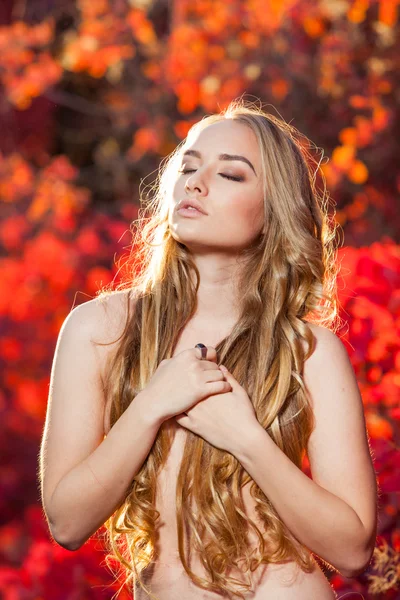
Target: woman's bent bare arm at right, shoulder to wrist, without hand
<point>335,513</point>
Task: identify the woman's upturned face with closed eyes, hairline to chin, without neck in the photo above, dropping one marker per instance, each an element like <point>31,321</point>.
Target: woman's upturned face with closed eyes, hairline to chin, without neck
<point>234,207</point>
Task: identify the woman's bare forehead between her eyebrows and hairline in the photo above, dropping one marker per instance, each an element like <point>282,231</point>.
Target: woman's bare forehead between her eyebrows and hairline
<point>226,136</point>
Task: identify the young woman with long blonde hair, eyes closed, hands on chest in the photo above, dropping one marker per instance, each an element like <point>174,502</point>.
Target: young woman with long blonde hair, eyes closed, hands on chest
<point>181,405</point>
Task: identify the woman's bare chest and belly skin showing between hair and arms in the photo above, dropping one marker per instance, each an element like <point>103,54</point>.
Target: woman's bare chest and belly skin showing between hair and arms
<point>166,577</point>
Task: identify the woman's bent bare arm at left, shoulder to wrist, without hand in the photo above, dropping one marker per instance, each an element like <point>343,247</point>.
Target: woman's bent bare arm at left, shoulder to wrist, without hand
<point>83,476</point>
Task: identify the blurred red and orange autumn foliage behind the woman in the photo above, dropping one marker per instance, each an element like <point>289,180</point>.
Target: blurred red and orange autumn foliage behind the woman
<point>93,95</point>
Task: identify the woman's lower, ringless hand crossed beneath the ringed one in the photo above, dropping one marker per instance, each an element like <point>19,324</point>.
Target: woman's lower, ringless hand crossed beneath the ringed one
<point>224,420</point>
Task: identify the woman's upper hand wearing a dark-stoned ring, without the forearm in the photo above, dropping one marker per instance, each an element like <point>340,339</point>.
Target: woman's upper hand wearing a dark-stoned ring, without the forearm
<point>182,381</point>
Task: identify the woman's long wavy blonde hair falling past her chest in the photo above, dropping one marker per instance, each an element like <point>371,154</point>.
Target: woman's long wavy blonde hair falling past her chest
<point>290,280</point>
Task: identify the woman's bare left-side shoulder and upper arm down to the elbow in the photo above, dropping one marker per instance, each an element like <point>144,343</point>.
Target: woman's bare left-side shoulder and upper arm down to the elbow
<point>76,404</point>
